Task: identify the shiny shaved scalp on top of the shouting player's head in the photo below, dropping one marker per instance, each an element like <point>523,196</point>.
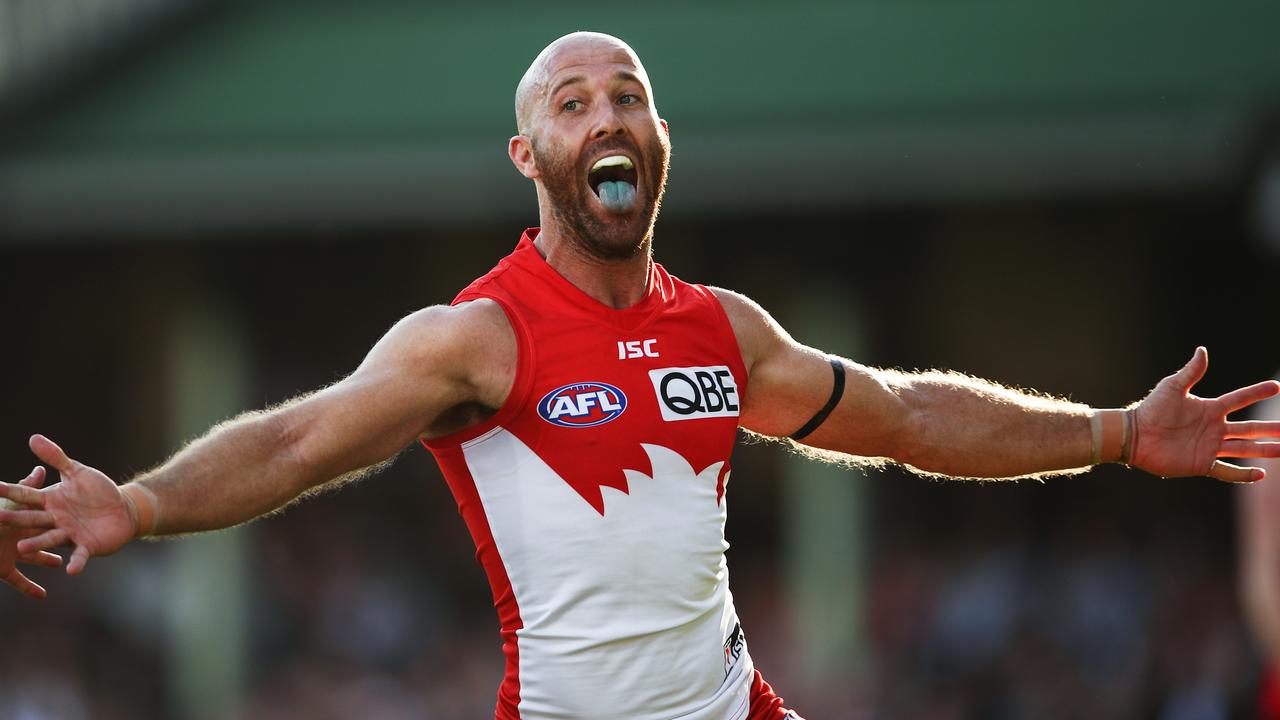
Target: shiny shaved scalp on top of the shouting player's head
<point>570,51</point>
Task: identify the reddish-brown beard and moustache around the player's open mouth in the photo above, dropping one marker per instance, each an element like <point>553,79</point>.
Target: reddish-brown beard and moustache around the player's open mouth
<point>579,212</point>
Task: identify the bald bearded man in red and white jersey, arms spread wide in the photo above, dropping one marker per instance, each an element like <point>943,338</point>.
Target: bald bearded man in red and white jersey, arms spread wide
<point>583,405</point>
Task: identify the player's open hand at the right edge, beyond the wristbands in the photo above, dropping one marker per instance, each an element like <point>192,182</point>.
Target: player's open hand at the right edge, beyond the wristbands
<point>1180,435</point>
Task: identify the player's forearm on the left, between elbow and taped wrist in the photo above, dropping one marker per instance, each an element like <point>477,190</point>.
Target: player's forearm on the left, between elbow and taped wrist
<point>241,470</point>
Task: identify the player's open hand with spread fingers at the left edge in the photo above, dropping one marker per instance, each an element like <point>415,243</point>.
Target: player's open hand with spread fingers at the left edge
<point>86,509</point>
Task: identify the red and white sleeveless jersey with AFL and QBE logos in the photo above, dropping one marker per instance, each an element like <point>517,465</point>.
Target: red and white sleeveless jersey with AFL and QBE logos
<point>596,498</point>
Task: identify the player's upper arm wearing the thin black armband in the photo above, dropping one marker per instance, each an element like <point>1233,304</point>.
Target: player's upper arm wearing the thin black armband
<point>789,384</point>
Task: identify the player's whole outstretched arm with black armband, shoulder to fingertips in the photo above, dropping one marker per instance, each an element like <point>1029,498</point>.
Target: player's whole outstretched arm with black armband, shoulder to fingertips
<point>957,426</point>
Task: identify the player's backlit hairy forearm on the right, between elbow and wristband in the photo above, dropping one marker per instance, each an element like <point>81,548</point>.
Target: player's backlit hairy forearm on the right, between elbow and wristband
<point>964,427</point>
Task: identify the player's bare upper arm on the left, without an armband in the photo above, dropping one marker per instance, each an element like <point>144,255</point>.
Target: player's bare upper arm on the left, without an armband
<point>424,370</point>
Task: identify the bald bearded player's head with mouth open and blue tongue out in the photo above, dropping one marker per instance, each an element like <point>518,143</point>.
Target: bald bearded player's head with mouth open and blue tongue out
<point>598,149</point>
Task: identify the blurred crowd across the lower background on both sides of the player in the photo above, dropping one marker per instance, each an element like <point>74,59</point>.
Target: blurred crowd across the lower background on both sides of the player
<point>979,618</point>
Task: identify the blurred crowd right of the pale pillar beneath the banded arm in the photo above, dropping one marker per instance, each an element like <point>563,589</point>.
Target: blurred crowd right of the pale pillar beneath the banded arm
<point>1018,630</point>
